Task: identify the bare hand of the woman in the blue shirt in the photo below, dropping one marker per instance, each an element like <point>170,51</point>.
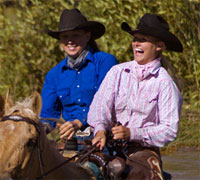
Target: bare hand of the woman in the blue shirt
<point>69,128</point>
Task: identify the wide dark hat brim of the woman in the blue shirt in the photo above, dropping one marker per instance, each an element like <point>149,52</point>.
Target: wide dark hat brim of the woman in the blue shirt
<point>97,29</point>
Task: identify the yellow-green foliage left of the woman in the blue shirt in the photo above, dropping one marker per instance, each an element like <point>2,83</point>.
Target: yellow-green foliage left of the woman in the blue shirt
<point>26,52</point>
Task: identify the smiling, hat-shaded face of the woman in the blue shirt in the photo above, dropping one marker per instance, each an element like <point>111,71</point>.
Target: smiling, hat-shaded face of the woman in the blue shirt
<point>74,42</point>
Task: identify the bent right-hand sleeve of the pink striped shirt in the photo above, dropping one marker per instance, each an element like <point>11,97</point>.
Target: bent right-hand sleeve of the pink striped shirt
<point>168,110</point>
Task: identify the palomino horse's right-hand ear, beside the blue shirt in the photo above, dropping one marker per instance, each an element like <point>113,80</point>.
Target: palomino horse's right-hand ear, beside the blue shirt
<point>36,103</point>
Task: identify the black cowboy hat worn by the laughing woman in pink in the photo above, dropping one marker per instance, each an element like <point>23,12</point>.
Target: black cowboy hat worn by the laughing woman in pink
<point>155,26</point>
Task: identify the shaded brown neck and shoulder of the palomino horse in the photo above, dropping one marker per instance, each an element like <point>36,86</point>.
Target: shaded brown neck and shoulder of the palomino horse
<point>51,158</point>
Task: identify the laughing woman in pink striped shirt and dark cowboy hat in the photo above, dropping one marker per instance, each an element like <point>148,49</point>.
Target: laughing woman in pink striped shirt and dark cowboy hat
<point>140,96</point>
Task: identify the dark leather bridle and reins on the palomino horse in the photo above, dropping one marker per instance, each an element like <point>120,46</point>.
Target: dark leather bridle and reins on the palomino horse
<point>85,152</point>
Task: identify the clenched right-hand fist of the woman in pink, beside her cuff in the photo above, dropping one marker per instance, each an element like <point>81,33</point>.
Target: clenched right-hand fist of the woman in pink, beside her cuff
<point>120,132</point>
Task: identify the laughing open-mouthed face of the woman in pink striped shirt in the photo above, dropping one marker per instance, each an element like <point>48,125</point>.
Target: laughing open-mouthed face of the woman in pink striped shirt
<point>146,48</point>
